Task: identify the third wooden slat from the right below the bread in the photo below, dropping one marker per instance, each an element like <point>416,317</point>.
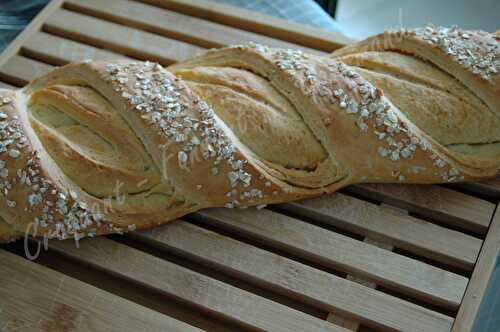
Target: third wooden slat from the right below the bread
<point>412,277</point>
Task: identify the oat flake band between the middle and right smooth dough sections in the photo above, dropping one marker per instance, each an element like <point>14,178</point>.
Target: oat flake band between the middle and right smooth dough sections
<point>362,100</point>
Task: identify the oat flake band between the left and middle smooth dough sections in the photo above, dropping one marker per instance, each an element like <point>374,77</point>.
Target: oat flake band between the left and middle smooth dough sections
<point>157,97</point>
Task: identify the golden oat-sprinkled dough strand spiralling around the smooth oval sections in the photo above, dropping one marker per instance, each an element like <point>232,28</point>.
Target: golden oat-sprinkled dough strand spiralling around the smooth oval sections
<point>204,162</point>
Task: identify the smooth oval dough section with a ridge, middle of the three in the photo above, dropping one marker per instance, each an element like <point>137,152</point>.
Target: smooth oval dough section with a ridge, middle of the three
<point>251,106</point>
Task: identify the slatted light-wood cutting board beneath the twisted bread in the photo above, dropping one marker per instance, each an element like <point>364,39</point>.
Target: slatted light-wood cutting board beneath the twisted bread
<point>369,258</point>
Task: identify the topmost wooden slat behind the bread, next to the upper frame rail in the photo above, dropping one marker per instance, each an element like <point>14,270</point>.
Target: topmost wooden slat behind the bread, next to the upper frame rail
<point>175,25</point>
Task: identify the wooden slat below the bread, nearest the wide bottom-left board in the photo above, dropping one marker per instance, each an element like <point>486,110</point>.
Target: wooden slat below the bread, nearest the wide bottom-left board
<point>210,294</point>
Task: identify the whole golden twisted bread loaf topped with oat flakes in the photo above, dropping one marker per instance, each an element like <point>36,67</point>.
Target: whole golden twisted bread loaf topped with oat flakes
<point>102,147</point>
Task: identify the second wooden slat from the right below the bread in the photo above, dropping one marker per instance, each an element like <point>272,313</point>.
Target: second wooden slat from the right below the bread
<point>405,232</point>
